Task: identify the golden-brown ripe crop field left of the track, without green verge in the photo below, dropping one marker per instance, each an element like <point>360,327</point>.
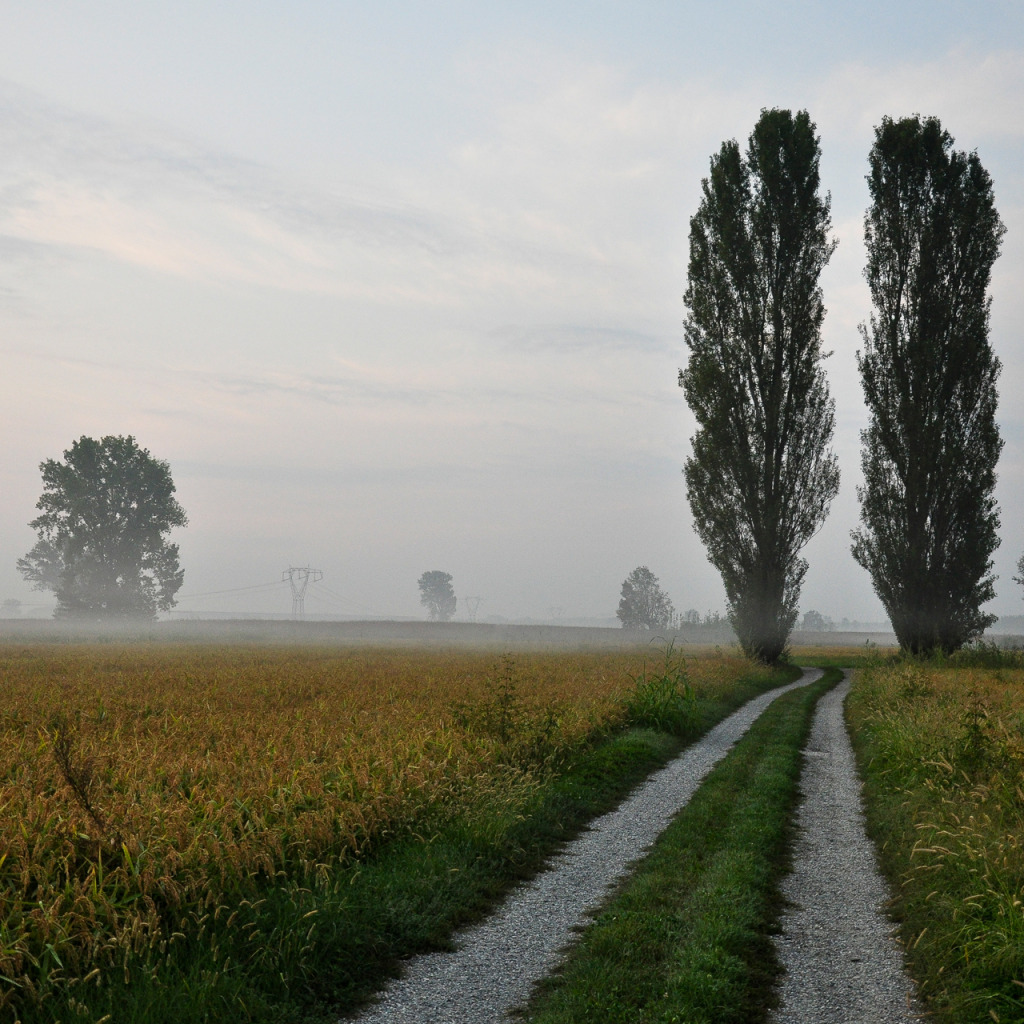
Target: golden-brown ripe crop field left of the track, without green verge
<point>150,796</point>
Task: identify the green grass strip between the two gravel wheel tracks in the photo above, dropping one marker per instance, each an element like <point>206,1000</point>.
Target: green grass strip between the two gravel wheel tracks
<point>688,940</point>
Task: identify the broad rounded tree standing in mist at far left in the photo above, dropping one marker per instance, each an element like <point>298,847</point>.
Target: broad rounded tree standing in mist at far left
<point>102,548</point>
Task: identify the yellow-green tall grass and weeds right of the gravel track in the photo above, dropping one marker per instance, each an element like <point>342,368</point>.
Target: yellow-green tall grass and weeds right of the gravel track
<point>942,748</point>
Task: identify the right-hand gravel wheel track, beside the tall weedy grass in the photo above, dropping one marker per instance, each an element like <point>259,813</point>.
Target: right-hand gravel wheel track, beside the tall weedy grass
<point>842,962</point>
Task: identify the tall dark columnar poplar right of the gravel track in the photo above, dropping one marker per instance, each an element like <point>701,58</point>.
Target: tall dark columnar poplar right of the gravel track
<point>928,507</point>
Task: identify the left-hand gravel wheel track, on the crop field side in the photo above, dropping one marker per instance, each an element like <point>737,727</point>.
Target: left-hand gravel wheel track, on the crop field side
<point>497,962</point>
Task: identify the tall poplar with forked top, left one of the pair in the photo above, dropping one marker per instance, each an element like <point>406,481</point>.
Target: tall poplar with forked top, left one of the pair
<point>762,477</point>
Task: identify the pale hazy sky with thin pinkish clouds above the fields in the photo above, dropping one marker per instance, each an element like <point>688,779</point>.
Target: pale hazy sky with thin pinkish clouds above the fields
<point>398,287</point>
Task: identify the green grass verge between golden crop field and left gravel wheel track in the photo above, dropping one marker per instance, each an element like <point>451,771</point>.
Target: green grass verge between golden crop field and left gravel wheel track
<point>313,954</point>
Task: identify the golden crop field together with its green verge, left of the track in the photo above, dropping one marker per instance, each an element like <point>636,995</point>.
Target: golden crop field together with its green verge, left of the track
<point>253,834</point>
